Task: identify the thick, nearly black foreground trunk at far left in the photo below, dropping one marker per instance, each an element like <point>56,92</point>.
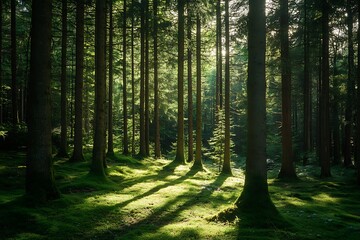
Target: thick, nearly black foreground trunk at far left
<point>40,183</point>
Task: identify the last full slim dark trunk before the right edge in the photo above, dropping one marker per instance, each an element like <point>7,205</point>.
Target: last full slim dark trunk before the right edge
<point>350,87</point>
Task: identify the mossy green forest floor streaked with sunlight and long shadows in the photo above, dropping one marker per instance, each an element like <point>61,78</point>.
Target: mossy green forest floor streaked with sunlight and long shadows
<point>140,200</point>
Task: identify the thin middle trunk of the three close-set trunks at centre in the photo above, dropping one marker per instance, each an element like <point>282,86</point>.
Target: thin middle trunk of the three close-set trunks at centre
<point>190,87</point>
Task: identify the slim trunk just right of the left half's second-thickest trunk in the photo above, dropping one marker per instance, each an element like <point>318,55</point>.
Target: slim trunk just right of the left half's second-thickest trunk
<point>110,150</point>
